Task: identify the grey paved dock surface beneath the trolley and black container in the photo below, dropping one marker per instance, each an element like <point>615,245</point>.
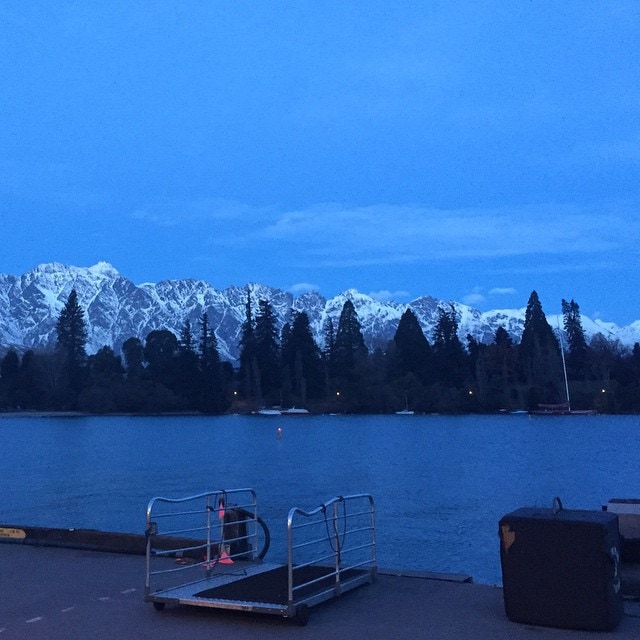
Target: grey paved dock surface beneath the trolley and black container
<point>56,593</point>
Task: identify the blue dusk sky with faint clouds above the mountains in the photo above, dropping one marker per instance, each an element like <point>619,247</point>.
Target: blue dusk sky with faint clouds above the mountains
<point>471,151</point>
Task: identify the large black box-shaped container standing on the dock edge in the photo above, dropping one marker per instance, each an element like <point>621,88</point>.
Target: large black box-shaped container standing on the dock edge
<point>560,568</point>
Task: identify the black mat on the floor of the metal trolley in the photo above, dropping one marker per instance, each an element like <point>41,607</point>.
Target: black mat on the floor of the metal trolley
<point>272,586</point>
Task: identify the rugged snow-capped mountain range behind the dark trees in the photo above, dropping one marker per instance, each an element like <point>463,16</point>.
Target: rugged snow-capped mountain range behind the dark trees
<point>117,309</point>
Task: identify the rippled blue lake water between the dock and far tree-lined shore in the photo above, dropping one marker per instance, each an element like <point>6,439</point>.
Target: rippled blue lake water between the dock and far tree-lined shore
<point>440,484</point>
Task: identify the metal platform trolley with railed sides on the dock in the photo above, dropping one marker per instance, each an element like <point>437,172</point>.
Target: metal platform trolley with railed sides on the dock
<point>202,550</point>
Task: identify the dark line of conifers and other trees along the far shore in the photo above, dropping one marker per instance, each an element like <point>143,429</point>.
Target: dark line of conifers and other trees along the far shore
<point>433,374</point>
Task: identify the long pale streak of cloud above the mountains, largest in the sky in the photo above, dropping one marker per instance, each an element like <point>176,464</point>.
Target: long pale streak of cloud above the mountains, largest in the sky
<point>388,234</point>
